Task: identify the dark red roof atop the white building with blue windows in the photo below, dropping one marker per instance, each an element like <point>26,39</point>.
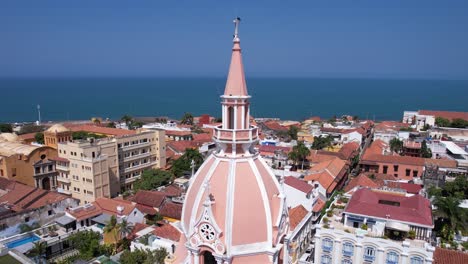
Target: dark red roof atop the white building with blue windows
<point>415,209</point>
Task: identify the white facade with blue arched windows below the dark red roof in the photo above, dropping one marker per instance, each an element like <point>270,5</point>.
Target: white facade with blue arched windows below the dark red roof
<point>338,246</point>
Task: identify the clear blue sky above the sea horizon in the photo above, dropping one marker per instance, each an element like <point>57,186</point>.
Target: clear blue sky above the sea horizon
<point>311,38</point>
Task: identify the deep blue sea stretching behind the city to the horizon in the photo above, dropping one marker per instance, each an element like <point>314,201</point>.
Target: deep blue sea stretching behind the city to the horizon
<point>71,99</point>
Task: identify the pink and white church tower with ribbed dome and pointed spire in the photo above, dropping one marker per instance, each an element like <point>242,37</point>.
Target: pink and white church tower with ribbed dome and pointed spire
<point>234,209</point>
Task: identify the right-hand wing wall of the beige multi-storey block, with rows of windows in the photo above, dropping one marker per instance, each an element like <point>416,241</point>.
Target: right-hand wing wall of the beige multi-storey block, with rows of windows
<point>139,152</point>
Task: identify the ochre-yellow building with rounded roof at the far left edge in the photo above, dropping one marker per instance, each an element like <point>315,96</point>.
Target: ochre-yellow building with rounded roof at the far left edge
<point>17,159</point>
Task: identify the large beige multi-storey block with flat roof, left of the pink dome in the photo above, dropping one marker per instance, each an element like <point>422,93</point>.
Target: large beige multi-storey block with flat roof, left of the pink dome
<point>105,167</point>
